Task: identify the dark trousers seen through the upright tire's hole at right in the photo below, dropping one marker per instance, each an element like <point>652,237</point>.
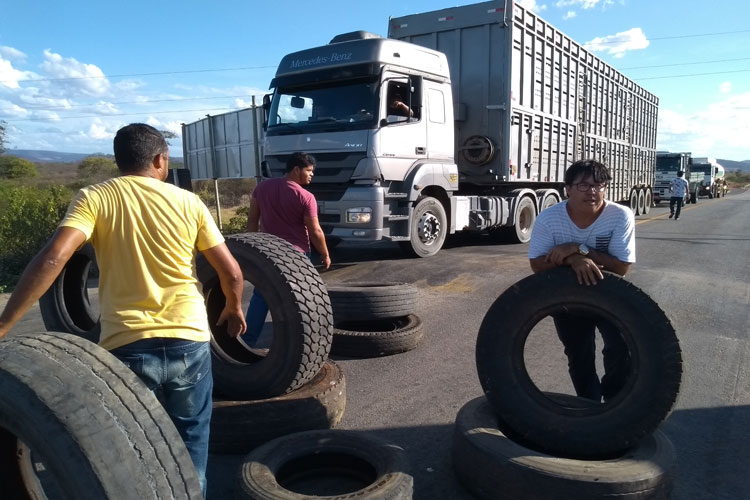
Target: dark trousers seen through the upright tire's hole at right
<point>577,333</point>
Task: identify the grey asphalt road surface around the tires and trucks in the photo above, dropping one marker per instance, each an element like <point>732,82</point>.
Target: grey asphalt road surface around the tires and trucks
<point>697,269</point>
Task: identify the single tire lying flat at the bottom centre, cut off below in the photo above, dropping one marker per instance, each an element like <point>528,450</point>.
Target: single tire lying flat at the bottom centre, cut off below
<point>379,467</point>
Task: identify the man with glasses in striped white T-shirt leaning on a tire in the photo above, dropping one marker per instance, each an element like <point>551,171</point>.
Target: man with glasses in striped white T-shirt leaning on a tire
<point>588,234</point>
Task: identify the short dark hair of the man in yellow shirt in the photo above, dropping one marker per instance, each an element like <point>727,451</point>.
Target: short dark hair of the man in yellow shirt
<point>136,145</point>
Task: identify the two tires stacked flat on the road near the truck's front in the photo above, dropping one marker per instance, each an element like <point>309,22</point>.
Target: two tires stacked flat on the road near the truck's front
<point>374,319</point>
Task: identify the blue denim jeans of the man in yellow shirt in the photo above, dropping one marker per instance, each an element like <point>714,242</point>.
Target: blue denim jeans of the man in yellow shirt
<point>179,373</point>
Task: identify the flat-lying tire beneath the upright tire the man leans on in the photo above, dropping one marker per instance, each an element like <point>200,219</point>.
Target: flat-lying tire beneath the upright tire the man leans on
<point>487,462</point>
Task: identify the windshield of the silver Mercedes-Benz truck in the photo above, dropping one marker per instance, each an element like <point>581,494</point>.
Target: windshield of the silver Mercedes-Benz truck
<point>329,108</point>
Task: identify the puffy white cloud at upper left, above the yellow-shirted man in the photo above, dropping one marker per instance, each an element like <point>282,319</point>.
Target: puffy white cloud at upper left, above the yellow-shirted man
<point>74,76</point>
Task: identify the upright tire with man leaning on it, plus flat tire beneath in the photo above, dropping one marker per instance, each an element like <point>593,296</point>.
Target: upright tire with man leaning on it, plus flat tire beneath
<point>530,444</point>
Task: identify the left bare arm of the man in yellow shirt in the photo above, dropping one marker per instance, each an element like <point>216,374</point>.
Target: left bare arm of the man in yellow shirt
<point>41,272</point>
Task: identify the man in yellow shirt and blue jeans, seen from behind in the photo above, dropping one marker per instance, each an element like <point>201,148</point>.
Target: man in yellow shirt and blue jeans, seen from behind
<point>145,233</point>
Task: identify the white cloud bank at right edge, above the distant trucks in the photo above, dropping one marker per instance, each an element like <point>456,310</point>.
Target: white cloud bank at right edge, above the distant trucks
<point>720,130</point>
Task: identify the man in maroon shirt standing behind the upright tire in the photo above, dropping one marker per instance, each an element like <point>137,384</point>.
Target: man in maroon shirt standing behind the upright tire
<point>285,209</point>
